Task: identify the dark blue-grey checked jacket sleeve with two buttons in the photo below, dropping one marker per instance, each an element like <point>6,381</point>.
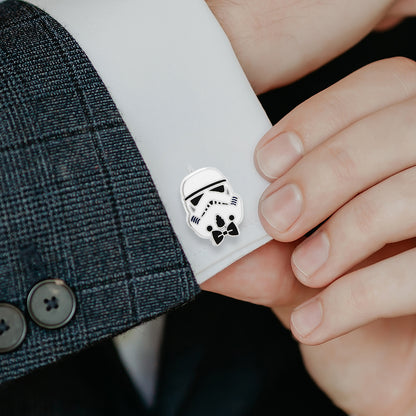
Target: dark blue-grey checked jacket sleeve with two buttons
<point>76,200</point>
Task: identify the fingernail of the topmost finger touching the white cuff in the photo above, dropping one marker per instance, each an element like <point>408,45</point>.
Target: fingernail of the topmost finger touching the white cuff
<point>277,156</point>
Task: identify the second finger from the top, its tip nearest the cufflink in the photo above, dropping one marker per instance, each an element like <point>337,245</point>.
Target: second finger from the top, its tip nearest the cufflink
<point>333,173</point>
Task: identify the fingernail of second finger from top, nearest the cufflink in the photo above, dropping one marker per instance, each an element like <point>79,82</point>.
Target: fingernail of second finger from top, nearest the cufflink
<point>282,208</point>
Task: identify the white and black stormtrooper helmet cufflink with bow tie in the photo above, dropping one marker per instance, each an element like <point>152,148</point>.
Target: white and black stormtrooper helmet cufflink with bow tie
<point>212,208</point>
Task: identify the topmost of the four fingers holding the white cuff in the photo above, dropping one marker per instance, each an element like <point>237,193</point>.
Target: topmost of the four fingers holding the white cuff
<point>367,90</point>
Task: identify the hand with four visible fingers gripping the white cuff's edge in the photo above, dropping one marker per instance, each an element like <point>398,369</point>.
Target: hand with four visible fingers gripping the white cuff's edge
<point>356,171</point>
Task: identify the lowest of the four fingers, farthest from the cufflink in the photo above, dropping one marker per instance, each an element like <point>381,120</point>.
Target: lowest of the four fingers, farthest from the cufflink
<point>384,290</point>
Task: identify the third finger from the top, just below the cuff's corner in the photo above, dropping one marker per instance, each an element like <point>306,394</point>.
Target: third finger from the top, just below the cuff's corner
<point>381,215</point>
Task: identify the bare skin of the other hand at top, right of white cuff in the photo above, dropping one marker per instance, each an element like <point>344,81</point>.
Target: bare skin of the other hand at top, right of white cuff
<point>279,41</point>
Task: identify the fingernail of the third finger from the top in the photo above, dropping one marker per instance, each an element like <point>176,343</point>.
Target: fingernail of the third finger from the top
<point>312,254</point>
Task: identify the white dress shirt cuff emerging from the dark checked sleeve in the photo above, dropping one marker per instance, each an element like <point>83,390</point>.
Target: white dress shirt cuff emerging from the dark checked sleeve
<point>177,83</point>
